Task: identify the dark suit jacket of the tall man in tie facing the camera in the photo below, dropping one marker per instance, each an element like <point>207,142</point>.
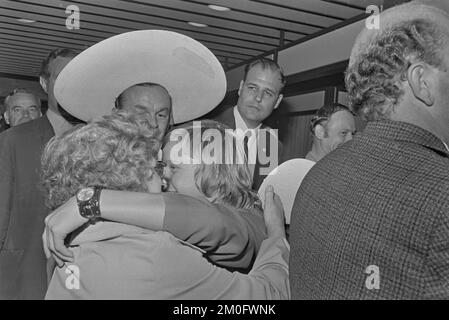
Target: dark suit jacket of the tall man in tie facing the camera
<point>261,170</point>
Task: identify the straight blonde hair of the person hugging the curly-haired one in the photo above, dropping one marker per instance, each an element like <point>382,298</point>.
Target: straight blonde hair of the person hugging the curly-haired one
<point>222,173</point>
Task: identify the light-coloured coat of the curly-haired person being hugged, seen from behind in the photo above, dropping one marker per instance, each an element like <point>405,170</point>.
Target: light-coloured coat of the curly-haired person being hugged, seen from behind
<point>116,261</point>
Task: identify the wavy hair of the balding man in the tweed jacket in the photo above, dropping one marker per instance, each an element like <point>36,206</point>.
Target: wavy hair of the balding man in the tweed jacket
<point>374,79</point>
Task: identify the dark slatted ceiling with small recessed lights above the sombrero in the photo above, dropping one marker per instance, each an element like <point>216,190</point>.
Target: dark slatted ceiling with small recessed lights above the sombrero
<point>250,28</point>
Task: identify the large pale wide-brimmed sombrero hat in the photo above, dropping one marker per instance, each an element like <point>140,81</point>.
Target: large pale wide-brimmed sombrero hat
<point>88,86</point>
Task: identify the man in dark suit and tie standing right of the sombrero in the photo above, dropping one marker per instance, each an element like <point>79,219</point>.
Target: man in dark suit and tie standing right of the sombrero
<point>259,94</point>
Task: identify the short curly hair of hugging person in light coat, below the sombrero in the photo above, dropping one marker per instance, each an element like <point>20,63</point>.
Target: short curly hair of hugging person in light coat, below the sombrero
<point>117,152</point>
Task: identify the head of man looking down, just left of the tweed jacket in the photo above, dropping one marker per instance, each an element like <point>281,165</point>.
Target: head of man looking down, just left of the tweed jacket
<point>332,126</point>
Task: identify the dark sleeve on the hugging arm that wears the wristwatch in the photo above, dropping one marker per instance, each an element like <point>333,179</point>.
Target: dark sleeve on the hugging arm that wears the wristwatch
<point>230,237</point>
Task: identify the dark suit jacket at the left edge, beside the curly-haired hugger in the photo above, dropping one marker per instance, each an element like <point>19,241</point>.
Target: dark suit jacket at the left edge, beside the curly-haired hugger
<point>22,211</point>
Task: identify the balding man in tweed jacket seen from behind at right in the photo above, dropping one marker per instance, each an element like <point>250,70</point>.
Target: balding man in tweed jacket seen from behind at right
<point>371,219</point>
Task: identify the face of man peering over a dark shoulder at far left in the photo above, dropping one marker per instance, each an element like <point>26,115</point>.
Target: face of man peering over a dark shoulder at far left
<point>21,106</point>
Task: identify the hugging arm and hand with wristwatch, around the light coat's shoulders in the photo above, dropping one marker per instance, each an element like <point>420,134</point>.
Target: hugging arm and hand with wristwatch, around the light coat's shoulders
<point>228,239</point>
